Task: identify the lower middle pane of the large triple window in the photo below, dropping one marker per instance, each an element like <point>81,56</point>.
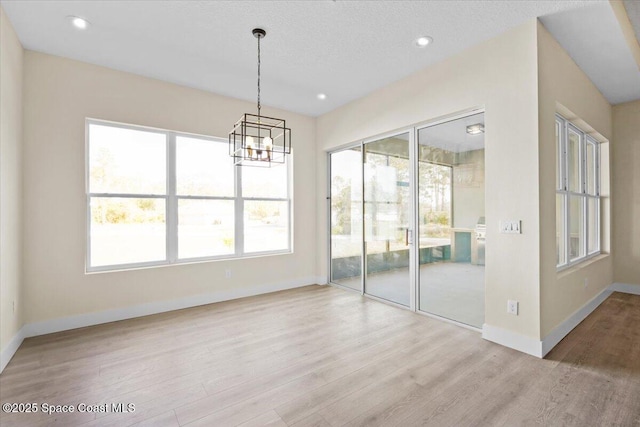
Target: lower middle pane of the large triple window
<point>205,228</point>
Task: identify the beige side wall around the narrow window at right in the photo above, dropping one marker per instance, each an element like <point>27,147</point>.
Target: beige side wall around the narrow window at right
<point>565,88</point>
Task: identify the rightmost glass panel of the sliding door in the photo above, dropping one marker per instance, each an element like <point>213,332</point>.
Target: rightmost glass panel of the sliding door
<point>451,225</point>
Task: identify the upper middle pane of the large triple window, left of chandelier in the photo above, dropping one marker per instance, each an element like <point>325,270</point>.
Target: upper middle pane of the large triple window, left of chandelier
<point>203,168</point>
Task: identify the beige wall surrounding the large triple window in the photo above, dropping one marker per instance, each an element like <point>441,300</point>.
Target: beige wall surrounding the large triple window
<point>59,95</point>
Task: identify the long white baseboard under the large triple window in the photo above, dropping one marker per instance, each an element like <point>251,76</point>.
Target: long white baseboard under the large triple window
<point>90,319</point>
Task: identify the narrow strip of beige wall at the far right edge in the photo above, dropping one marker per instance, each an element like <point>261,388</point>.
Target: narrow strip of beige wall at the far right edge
<point>626,192</point>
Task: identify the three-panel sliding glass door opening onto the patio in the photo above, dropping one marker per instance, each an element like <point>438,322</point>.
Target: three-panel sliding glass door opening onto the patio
<point>429,179</point>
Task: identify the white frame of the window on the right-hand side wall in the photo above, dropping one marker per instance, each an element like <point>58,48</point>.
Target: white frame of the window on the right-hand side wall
<point>564,127</point>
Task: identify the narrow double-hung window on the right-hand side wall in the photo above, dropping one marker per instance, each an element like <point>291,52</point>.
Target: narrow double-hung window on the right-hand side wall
<point>577,194</point>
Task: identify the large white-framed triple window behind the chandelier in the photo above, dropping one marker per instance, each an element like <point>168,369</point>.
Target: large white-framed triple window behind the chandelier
<point>158,197</point>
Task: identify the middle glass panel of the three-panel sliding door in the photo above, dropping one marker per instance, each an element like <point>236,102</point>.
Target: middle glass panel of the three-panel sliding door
<point>387,215</point>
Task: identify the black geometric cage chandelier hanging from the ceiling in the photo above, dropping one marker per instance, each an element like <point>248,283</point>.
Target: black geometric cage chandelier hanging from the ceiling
<point>257,140</point>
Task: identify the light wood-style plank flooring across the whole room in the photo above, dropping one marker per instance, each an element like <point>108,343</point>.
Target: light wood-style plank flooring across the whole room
<point>320,356</point>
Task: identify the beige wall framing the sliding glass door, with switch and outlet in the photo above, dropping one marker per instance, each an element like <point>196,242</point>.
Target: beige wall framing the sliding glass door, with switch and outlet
<point>501,76</point>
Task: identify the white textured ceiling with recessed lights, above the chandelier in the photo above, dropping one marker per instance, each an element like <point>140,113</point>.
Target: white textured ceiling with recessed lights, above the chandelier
<point>345,49</point>
